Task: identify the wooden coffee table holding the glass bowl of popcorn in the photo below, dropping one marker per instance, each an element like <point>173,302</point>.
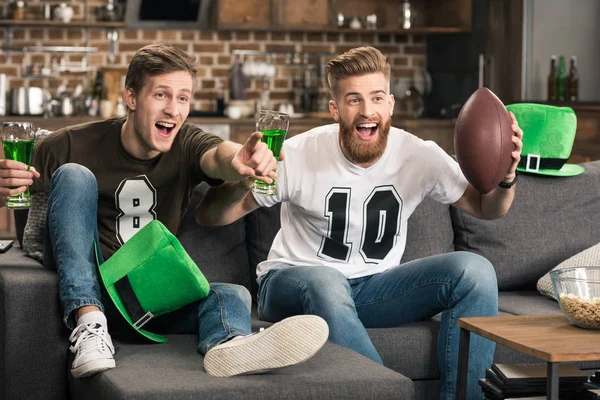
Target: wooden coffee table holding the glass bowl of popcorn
<point>551,338</point>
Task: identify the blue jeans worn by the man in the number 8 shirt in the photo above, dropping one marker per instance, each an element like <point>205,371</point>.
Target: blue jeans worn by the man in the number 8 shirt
<point>71,229</point>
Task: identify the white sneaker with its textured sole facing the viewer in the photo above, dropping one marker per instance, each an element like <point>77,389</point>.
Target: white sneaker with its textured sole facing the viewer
<point>288,342</point>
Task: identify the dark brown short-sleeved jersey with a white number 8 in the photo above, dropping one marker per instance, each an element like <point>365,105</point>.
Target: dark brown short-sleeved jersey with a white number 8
<point>131,192</point>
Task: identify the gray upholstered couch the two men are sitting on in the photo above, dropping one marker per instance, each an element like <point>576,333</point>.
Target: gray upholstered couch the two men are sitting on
<point>551,220</point>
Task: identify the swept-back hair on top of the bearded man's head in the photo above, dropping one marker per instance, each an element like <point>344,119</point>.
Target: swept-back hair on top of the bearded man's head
<point>357,61</point>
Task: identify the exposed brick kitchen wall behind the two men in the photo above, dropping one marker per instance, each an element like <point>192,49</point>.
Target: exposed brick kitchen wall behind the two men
<point>213,49</point>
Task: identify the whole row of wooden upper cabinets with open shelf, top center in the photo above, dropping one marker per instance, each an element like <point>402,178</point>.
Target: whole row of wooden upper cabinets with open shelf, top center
<point>429,16</point>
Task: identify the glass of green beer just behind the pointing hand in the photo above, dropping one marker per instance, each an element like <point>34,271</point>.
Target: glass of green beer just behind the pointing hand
<point>273,125</point>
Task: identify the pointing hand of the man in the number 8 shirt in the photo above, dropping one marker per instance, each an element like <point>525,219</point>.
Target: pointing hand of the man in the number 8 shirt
<point>255,160</point>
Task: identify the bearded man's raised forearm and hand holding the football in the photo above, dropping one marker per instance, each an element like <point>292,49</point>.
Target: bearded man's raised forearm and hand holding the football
<point>496,203</point>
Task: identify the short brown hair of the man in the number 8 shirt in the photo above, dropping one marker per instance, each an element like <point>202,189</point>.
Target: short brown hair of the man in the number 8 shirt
<point>156,59</point>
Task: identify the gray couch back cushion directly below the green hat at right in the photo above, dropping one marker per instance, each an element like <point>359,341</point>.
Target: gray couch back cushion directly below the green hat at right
<point>550,220</point>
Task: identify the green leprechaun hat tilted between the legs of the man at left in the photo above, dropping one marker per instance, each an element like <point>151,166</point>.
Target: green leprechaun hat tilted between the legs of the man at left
<point>151,275</point>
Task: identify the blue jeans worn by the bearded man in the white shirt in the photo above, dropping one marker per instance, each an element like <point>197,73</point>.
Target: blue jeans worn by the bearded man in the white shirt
<point>458,284</point>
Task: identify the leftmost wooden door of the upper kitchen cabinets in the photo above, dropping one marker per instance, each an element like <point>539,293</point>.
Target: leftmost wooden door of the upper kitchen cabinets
<point>249,14</point>
